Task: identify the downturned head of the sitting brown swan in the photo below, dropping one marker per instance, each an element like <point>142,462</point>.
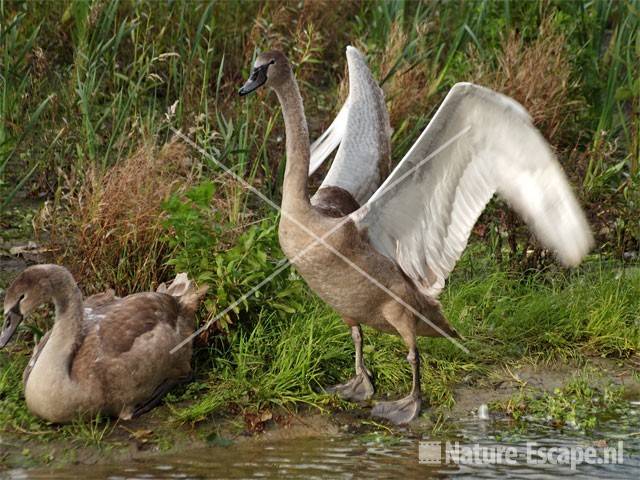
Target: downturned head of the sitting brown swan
<point>32,288</point>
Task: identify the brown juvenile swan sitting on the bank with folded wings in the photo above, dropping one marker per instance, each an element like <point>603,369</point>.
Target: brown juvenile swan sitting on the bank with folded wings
<point>106,355</point>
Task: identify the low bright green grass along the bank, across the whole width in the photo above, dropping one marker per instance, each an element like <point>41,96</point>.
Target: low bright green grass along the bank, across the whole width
<point>284,361</point>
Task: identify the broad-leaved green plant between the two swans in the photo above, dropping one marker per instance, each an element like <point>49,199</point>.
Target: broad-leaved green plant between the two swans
<point>231,264</point>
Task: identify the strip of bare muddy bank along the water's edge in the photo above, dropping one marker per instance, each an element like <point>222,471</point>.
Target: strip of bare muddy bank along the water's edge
<point>156,434</point>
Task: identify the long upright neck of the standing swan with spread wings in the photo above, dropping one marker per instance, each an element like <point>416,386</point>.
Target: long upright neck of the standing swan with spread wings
<point>295,197</point>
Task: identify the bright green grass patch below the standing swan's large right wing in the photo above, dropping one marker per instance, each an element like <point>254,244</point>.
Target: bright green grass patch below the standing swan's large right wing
<point>506,314</point>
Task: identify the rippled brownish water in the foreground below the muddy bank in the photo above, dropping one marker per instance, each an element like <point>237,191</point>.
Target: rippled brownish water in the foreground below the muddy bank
<point>349,456</point>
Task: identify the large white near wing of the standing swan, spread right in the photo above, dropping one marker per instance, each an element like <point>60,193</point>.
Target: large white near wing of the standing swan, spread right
<point>478,143</point>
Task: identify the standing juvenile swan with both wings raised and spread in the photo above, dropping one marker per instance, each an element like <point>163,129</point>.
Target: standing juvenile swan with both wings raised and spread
<point>386,251</point>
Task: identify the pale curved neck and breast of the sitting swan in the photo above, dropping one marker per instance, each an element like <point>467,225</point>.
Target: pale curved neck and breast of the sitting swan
<point>50,389</point>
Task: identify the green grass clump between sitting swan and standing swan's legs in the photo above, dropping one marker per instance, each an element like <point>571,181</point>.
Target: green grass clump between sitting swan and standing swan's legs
<point>276,362</point>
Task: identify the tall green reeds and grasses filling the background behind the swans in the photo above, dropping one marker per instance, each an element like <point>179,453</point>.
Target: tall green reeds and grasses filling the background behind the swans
<point>84,85</point>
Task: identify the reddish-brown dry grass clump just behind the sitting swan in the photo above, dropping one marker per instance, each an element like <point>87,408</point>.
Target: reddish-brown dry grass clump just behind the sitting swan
<point>113,233</point>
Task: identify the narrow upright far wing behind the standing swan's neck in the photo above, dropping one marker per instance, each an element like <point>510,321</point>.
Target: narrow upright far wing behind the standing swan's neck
<point>362,132</point>
